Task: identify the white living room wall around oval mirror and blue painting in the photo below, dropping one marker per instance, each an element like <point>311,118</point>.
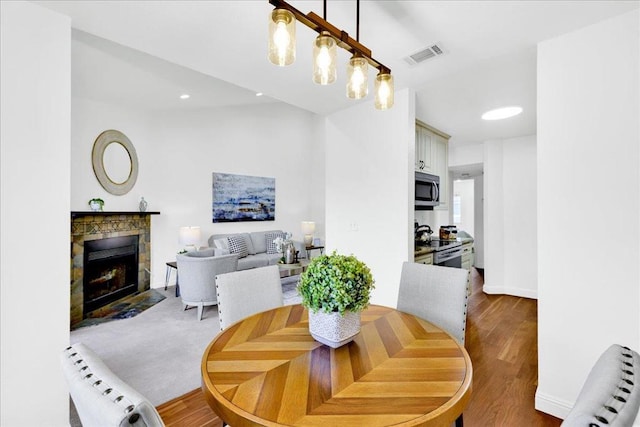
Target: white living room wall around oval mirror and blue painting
<point>179,150</point>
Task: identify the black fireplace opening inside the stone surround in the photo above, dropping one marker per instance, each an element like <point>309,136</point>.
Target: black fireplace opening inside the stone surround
<point>110,271</point>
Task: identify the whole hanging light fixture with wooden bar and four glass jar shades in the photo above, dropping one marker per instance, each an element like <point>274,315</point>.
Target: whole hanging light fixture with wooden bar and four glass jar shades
<point>324,52</point>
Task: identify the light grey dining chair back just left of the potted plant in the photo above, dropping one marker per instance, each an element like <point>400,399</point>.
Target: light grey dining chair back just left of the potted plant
<point>246,292</point>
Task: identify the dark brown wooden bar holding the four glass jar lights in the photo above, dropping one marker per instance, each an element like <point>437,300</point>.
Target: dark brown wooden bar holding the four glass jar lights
<point>318,24</point>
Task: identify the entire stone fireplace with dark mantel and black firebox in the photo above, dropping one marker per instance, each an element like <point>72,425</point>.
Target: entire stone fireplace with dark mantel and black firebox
<point>110,260</point>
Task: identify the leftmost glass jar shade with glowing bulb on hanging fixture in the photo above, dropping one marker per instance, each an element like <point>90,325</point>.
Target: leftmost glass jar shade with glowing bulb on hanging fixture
<point>282,37</point>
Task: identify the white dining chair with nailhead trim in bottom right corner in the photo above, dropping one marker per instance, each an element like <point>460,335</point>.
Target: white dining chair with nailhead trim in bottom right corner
<point>611,394</point>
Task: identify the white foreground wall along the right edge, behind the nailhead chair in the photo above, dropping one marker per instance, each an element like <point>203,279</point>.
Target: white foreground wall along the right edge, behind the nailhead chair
<point>588,182</point>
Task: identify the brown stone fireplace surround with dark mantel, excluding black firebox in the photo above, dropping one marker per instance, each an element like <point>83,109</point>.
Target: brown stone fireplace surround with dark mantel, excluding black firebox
<point>101,225</point>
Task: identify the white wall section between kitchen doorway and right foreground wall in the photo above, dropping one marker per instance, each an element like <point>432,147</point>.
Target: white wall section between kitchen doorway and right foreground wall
<point>510,224</point>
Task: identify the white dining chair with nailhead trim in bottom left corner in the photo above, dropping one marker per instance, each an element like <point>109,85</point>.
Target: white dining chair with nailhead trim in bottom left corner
<point>101,398</point>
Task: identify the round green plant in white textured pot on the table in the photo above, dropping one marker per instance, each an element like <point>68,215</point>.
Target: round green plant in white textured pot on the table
<point>335,289</point>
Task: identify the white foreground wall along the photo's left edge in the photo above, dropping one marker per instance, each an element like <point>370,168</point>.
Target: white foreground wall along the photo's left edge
<point>35,116</point>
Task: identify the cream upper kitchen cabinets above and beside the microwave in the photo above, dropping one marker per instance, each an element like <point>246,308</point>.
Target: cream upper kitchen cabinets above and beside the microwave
<point>432,156</point>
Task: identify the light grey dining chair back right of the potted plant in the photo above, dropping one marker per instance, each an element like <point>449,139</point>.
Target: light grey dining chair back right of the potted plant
<point>436,294</point>
